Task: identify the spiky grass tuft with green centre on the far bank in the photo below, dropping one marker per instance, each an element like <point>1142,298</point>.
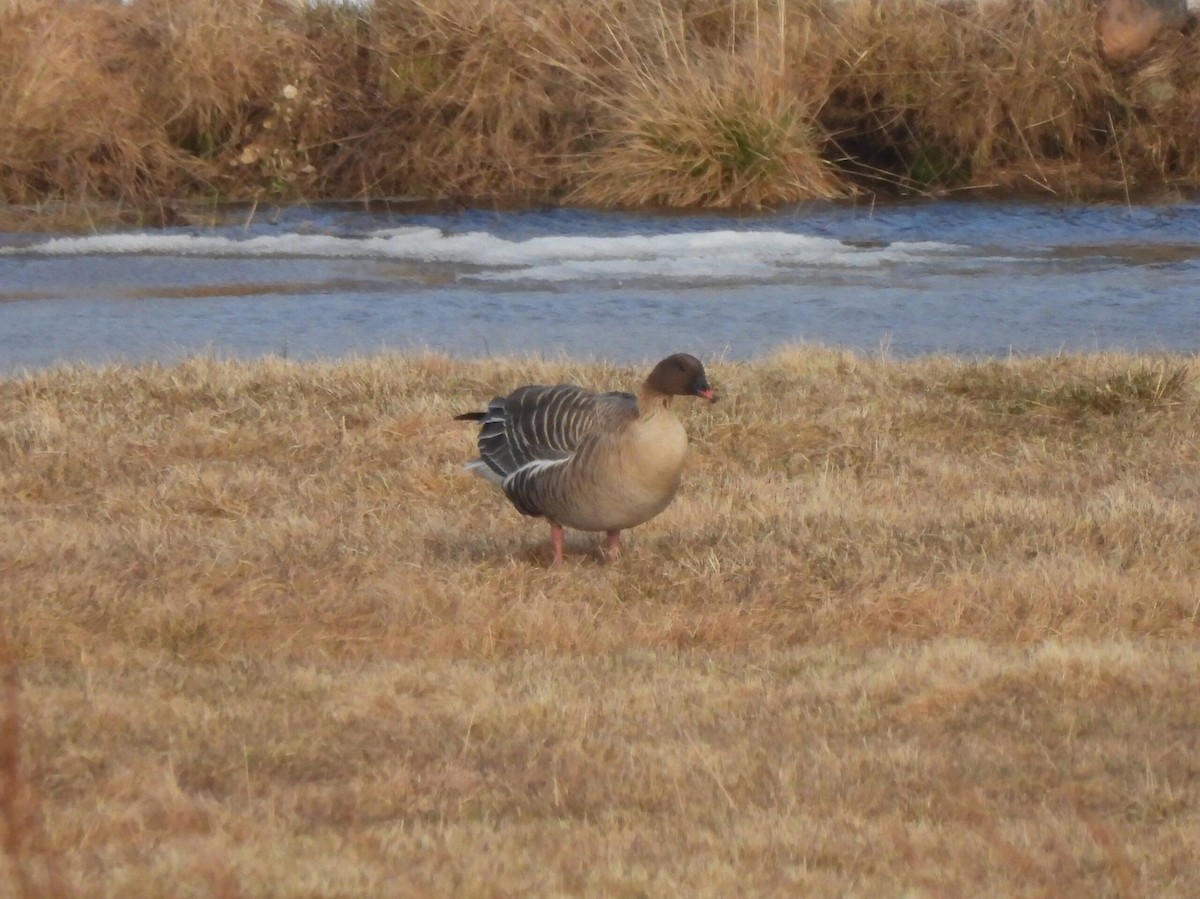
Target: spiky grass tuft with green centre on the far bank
<point>709,129</point>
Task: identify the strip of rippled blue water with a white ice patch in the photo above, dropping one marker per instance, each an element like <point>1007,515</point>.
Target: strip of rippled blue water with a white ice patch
<point>962,278</point>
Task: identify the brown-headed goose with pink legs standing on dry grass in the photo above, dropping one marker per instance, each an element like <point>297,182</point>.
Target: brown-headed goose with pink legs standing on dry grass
<point>587,460</point>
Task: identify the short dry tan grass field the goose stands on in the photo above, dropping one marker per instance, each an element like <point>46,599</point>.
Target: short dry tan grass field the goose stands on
<point>920,628</point>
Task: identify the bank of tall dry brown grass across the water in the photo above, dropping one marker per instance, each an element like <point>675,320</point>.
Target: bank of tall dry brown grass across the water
<point>681,103</point>
